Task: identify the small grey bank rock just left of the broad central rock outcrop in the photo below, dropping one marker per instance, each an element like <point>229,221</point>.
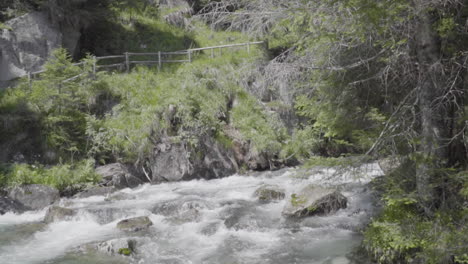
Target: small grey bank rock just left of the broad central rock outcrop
<point>118,175</point>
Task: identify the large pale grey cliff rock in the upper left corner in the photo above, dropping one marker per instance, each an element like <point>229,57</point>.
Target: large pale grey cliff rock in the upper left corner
<point>29,43</point>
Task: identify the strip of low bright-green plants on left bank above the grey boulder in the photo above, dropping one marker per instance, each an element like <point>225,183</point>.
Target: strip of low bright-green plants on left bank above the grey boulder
<point>59,176</point>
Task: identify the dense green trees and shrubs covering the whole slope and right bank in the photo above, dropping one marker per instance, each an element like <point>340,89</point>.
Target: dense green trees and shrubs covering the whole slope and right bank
<point>356,77</point>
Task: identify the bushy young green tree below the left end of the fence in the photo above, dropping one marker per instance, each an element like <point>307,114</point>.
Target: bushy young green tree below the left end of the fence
<point>64,105</point>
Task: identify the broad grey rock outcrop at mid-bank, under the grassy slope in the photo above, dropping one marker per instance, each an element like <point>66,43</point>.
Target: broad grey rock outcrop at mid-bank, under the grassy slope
<point>179,161</point>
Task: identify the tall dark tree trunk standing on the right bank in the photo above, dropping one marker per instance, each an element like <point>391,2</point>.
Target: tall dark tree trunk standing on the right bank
<point>432,147</point>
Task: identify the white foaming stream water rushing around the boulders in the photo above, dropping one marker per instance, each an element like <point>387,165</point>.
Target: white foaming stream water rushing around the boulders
<point>213,222</point>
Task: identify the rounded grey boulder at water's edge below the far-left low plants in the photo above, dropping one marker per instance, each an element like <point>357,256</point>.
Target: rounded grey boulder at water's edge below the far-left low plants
<point>34,196</point>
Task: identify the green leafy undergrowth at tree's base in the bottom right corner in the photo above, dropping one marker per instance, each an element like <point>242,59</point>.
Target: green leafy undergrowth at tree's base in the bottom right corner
<point>403,234</point>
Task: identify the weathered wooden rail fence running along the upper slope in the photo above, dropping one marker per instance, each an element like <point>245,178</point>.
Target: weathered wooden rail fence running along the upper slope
<point>151,58</point>
